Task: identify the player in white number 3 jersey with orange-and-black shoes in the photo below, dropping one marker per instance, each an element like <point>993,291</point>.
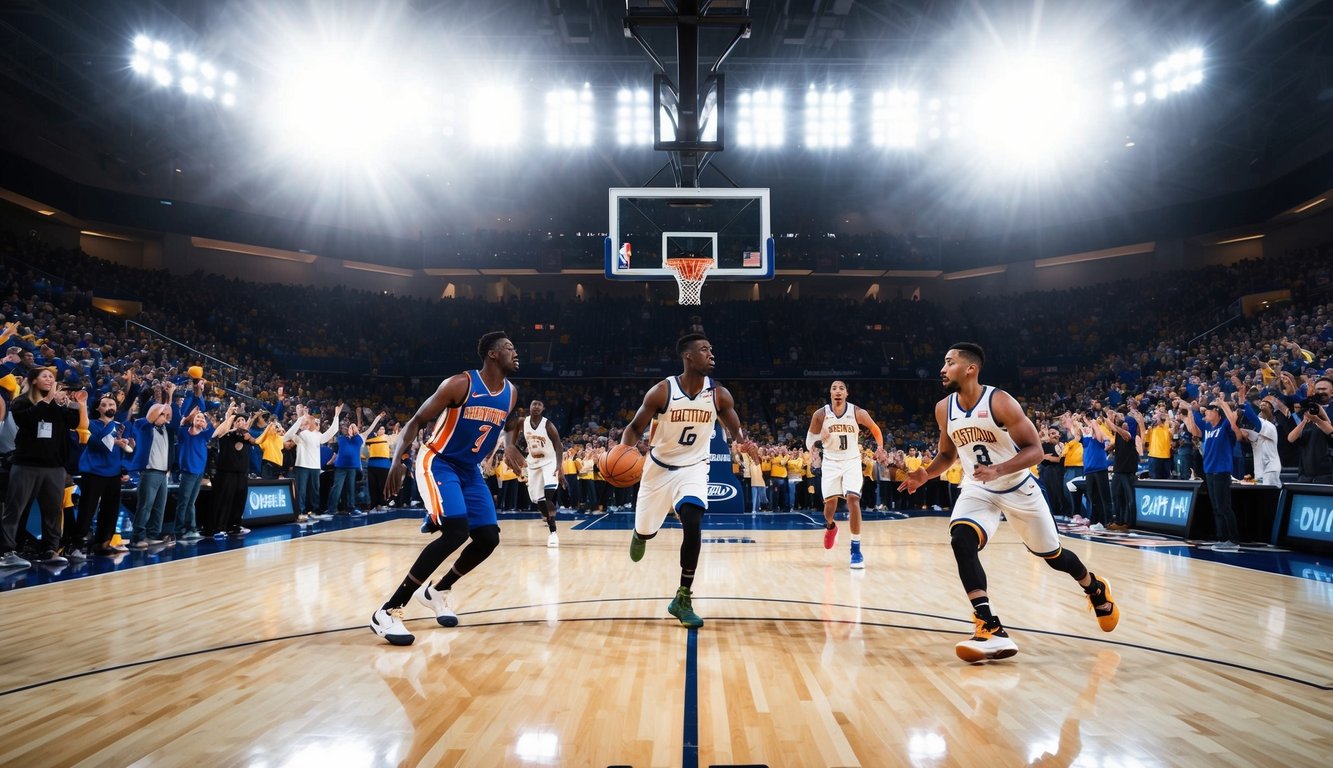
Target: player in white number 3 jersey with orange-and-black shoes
<point>987,431</point>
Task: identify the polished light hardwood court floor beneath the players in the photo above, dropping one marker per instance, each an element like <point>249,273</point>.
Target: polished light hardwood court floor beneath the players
<point>567,657</point>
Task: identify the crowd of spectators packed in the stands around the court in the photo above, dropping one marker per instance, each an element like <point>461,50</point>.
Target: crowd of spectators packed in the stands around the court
<point>1128,358</point>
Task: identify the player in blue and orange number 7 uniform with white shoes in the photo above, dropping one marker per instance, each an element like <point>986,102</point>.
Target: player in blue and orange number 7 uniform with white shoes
<point>470,411</point>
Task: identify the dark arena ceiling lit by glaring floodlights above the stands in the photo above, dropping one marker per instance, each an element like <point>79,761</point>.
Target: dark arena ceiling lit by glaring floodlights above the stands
<point>1250,137</point>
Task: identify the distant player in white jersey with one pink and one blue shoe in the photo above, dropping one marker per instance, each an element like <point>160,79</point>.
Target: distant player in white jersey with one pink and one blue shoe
<point>838,429</point>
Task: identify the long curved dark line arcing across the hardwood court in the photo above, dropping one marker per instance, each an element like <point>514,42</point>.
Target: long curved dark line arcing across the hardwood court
<point>775,619</point>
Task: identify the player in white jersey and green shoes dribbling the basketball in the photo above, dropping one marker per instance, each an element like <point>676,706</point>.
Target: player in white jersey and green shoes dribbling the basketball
<point>683,411</point>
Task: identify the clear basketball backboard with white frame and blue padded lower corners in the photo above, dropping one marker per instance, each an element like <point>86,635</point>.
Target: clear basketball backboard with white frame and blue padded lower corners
<point>653,225</point>
